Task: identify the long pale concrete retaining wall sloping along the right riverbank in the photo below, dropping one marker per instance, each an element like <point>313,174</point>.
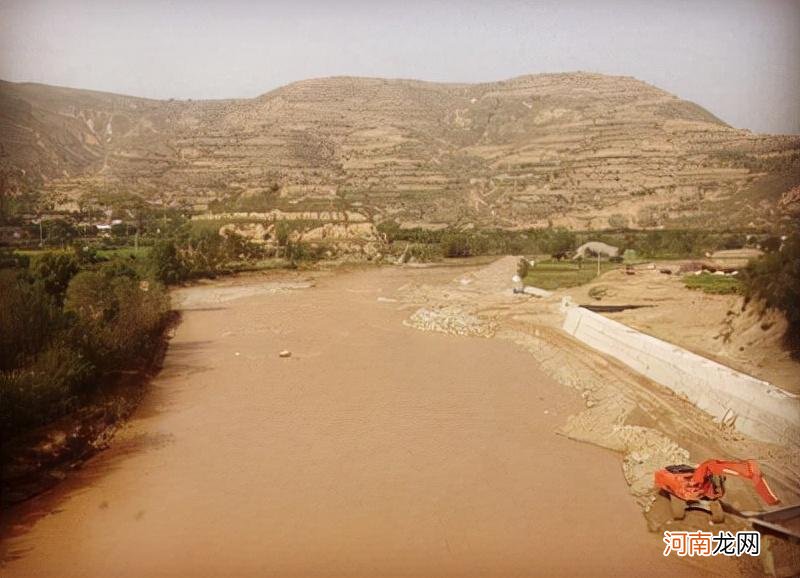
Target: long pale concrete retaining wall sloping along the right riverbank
<point>755,407</point>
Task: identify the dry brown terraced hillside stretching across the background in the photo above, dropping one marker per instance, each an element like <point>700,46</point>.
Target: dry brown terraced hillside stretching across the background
<point>568,149</point>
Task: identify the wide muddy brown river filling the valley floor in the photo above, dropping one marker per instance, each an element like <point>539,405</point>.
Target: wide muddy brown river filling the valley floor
<point>374,450</point>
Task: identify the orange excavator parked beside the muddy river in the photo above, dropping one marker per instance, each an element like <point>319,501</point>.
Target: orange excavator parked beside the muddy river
<point>704,485</point>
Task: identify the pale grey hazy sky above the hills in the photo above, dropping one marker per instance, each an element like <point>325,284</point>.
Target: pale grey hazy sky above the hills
<point>738,58</point>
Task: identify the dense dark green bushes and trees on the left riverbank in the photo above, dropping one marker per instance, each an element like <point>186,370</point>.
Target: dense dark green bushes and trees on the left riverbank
<point>68,322</point>
